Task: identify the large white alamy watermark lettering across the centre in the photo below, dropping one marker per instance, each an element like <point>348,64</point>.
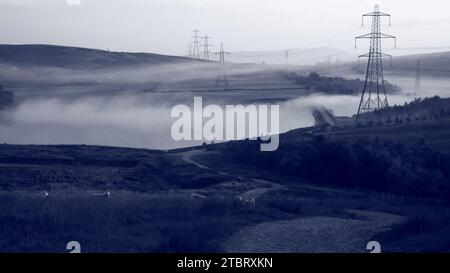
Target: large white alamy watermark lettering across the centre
<point>233,122</point>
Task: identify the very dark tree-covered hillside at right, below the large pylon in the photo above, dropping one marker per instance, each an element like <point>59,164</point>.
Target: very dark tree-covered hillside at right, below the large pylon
<point>406,159</point>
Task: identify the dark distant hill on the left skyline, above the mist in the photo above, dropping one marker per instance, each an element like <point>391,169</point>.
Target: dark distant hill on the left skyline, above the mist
<point>77,58</point>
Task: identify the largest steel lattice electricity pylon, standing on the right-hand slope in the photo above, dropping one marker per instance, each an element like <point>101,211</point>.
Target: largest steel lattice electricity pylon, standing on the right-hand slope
<point>374,95</point>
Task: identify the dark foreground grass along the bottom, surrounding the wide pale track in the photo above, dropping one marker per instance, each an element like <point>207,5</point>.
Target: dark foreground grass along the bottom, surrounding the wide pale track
<point>164,222</point>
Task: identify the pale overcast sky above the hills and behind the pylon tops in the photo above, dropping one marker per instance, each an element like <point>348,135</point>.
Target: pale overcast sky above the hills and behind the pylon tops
<point>164,26</point>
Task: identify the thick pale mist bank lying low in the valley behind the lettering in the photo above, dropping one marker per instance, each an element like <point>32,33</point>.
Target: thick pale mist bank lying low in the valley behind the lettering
<point>133,121</point>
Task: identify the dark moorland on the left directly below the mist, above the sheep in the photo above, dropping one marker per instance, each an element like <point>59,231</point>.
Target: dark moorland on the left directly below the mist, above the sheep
<point>52,167</point>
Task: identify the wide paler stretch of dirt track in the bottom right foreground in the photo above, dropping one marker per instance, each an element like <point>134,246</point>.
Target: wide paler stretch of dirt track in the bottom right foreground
<point>312,234</point>
